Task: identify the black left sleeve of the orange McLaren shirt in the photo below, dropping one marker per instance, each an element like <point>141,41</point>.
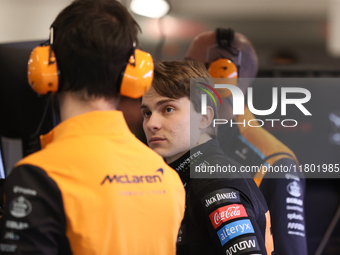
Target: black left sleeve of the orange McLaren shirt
<point>34,219</point>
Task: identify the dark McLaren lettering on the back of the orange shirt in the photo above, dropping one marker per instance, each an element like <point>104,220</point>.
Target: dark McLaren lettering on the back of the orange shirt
<point>134,179</point>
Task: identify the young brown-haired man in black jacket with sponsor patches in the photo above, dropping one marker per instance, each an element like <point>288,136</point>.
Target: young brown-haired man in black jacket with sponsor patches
<point>226,215</point>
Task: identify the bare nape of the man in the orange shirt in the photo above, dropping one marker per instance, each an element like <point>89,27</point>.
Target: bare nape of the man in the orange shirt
<point>73,104</point>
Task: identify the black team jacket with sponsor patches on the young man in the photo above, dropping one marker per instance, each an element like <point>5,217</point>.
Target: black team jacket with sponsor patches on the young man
<point>223,215</point>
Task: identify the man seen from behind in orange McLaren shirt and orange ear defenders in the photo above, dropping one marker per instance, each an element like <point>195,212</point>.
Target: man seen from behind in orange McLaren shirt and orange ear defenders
<point>93,188</point>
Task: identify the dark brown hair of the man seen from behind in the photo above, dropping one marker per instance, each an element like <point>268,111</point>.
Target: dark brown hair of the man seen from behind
<point>93,40</point>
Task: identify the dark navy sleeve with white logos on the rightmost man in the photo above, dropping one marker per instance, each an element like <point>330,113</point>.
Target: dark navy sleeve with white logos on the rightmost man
<point>285,199</point>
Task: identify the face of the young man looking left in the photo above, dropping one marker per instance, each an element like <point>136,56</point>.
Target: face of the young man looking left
<point>167,124</point>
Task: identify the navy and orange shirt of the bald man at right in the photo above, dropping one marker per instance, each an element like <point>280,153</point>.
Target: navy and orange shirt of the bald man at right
<point>284,192</point>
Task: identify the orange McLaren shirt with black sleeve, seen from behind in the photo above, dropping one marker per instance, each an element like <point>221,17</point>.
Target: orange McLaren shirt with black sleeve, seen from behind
<point>93,189</point>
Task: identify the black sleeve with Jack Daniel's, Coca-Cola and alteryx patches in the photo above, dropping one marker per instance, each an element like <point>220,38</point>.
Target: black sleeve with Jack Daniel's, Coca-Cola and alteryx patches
<point>228,215</point>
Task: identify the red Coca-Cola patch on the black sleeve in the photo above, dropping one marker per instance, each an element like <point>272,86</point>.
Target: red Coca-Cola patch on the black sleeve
<point>226,213</point>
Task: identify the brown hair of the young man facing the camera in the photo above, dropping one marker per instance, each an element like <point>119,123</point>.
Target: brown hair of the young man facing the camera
<point>172,79</point>
